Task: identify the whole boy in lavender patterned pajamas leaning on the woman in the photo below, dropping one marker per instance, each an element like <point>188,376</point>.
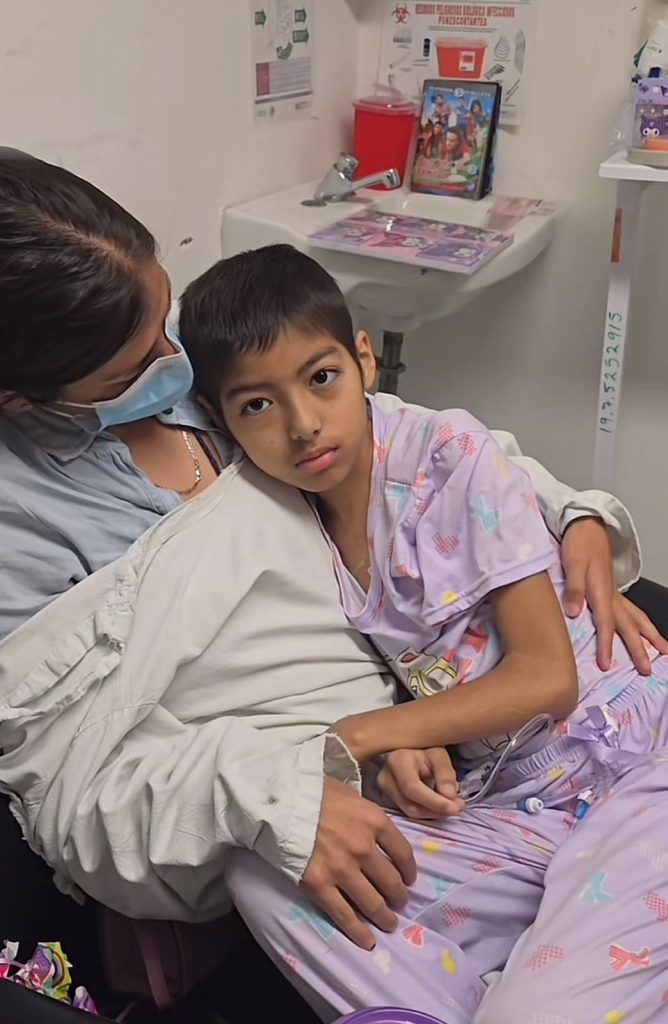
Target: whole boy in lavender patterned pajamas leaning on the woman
<point>443,559</point>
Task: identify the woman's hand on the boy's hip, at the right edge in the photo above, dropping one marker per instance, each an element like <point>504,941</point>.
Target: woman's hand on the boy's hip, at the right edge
<point>588,563</point>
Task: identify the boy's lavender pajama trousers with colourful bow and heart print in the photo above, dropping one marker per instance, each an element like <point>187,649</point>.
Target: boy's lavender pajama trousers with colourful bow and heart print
<point>574,913</point>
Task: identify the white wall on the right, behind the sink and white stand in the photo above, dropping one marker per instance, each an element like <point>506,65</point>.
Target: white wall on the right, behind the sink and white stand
<point>527,358</point>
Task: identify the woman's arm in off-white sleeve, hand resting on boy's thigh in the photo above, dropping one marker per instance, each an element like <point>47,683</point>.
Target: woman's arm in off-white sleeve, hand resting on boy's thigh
<point>139,804</point>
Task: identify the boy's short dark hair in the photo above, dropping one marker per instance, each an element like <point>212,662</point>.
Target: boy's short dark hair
<point>243,305</point>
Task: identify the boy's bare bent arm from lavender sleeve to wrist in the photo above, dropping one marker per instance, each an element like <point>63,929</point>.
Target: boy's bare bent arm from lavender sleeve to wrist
<point>537,675</point>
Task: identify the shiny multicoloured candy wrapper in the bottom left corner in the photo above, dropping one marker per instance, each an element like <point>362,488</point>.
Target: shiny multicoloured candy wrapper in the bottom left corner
<point>48,972</point>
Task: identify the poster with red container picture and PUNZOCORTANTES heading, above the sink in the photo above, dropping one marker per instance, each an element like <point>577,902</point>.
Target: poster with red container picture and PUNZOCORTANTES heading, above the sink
<point>443,40</point>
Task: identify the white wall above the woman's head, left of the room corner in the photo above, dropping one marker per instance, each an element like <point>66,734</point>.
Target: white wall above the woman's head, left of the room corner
<point>151,100</point>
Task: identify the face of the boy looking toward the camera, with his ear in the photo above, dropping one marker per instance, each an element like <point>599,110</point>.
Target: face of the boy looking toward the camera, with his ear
<point>299,410</point>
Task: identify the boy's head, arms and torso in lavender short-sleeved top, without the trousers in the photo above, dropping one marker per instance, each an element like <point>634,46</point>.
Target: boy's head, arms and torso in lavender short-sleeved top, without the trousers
<point>441,554</point>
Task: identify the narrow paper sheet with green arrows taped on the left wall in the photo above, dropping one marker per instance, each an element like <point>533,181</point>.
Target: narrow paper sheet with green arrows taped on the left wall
<point>282,41</point>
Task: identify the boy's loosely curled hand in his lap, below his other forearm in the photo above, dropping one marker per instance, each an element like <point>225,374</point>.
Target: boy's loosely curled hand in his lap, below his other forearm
<point>422,784</point>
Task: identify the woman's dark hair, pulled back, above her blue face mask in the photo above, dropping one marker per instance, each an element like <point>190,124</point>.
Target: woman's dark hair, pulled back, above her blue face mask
<point>71,294</point>
